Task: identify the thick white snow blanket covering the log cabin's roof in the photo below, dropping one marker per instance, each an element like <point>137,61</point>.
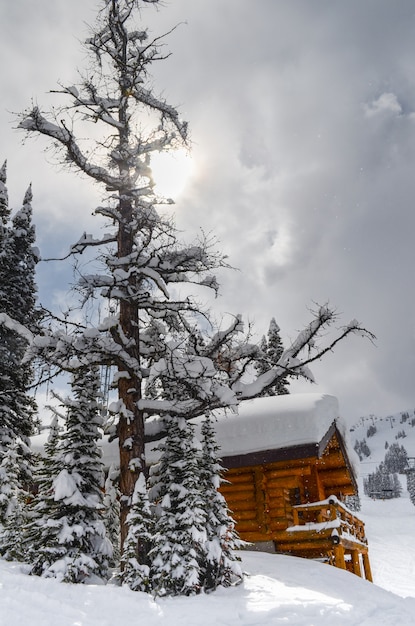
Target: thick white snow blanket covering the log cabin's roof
<point>298,425</point>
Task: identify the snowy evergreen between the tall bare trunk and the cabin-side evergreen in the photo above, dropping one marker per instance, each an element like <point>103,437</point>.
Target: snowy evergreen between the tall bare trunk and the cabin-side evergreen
<point>180,534</point>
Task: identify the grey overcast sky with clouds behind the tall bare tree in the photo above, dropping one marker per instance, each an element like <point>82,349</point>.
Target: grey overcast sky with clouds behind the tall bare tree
<point>302,118</point>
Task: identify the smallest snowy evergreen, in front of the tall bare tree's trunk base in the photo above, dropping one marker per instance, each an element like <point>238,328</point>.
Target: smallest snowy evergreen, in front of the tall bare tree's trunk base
<point>135,562</point>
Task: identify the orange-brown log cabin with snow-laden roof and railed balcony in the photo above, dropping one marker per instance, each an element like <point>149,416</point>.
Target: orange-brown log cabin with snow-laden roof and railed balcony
<point>289,467</point>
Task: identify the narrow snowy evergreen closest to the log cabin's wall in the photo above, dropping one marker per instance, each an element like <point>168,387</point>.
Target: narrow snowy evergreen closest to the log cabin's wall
<point>220,566</point>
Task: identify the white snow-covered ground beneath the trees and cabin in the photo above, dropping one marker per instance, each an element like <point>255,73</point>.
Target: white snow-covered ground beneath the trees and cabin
<point>277,590</point>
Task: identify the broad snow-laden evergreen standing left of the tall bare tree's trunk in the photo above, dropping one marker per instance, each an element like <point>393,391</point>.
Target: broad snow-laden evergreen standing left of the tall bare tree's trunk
<point>75,547</point>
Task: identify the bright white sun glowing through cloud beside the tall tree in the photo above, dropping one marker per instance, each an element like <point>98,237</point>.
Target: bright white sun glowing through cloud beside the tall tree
<point>171,171</point>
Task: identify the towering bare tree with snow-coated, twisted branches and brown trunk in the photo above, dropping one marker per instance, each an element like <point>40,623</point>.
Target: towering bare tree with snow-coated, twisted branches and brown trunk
<point>153,335</point>
